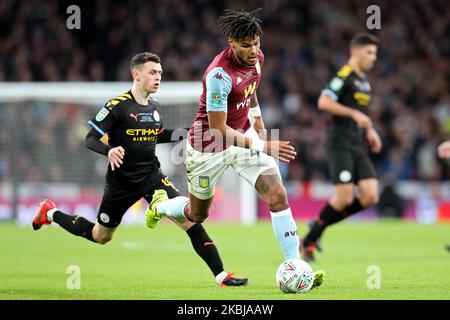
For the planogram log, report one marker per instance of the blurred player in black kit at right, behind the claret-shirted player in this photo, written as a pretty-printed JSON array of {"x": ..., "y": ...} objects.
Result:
[{"x": 347, "y": 98}]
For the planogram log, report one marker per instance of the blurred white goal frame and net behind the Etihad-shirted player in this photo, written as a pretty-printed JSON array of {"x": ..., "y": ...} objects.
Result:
[{"x": 42, "y": 131}]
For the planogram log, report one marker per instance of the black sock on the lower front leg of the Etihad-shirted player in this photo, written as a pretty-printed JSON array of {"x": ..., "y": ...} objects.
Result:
[{"x": 205, "y": 248}]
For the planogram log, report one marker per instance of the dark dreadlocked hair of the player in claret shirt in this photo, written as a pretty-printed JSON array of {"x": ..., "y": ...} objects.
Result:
[{"x": 240, "y": 25}]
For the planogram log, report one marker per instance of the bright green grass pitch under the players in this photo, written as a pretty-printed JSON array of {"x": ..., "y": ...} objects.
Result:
[{"x": 140, "y": 263}]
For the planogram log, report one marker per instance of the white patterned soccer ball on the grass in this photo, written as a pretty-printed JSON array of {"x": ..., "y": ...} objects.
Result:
[{"x": 294, "y": 275}]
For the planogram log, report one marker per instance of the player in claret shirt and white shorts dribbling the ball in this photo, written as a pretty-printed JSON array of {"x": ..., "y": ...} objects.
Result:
[{"x": 222, "y": 136}]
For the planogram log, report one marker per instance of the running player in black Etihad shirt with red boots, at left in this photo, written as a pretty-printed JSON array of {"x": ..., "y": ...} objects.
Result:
[{"x": 133, "y": 125}]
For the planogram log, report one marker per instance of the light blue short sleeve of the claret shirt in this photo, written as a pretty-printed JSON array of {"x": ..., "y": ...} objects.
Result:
[{"x": 218, "y": 87}]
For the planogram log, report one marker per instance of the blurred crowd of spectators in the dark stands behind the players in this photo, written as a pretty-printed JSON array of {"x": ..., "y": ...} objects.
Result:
[{"x": 305, "y": 43}]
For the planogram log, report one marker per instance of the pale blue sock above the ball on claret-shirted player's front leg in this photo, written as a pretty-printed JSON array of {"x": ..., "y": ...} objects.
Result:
[{"x": 286, "y": 233}]
